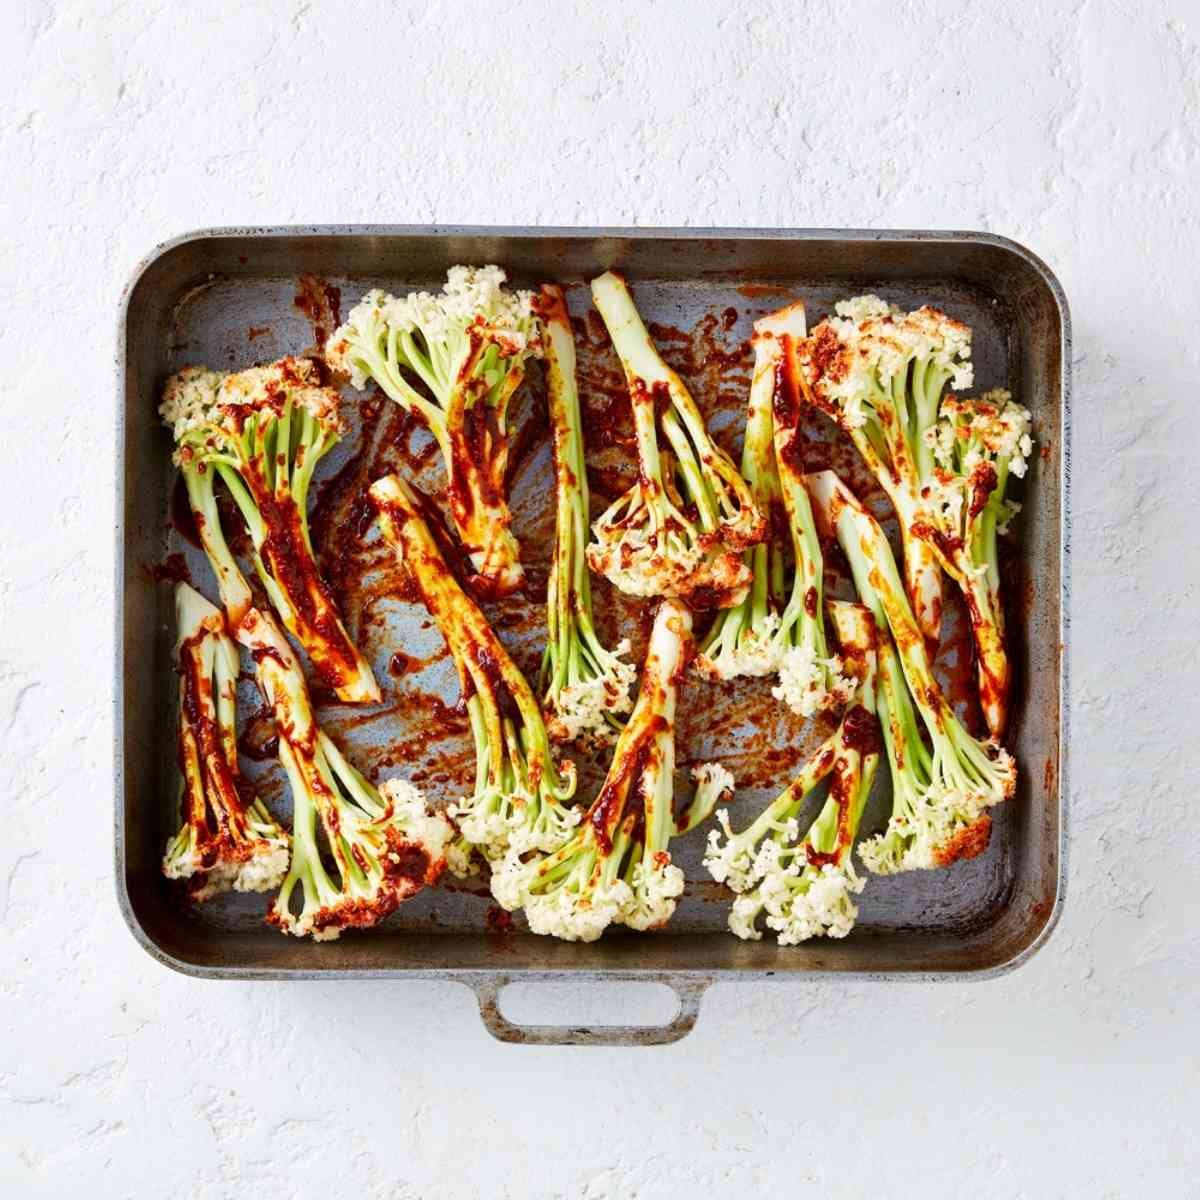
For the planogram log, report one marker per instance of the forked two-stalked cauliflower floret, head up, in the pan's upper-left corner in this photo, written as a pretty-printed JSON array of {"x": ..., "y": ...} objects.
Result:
[{"x": 263, "y": 431}]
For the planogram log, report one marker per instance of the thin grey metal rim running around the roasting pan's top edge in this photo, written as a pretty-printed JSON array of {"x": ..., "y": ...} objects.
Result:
[{"x": 478, "y": 979}]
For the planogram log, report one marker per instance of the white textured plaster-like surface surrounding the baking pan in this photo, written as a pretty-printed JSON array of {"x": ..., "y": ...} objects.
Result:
[{"x": 1073, "y": 129}]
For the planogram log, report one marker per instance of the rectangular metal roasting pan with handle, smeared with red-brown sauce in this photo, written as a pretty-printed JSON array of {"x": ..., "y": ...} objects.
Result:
[{"x": 232, "y": 297}]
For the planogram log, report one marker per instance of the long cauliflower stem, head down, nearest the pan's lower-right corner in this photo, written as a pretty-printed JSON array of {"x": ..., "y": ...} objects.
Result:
[{"x": 949, "y": 820}]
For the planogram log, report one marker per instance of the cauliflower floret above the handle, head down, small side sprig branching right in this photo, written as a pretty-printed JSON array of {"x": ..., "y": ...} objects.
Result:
[{"x": 616, "y": 868}]
